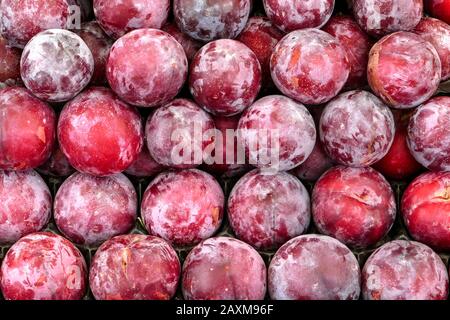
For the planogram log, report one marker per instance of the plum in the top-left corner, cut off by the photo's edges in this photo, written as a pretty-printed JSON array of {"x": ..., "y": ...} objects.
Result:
[{"x": 22, "y": 20}]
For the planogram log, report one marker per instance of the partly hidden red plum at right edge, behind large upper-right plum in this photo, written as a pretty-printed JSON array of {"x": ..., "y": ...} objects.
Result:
[{"x": 438, "y": 34}]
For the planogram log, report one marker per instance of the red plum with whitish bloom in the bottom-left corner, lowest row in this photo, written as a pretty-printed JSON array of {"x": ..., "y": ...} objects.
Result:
[{"x": 43, "y": 266}]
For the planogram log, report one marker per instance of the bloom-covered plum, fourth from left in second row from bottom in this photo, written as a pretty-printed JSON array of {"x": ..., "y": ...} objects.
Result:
[{"x": 266, "y": 211}]
